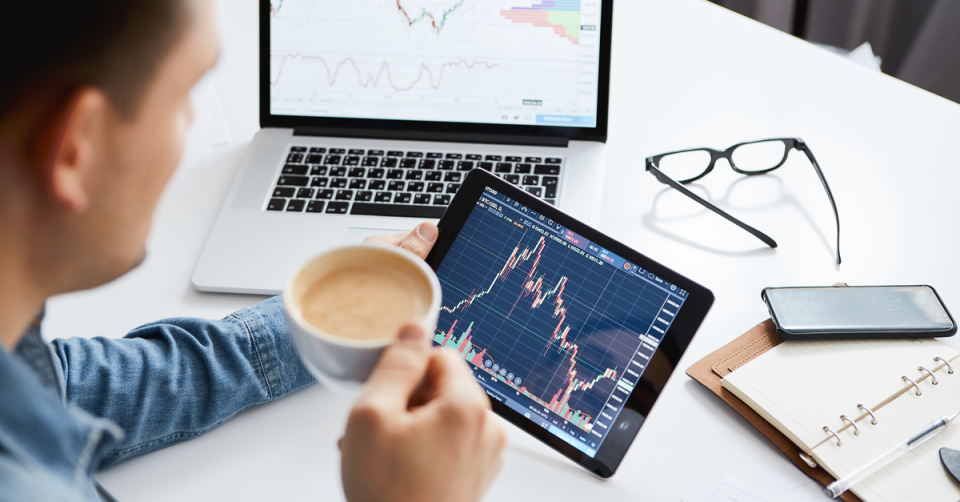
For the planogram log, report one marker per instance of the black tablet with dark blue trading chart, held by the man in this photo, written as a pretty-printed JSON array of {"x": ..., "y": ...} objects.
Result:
[{"x": 572, "y": 334}]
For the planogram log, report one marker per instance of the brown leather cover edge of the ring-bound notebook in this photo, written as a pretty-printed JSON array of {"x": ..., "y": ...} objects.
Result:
[{"x": 711, "y": 369}]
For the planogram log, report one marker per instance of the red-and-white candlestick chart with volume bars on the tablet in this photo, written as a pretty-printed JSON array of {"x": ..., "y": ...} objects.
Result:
[{"x": 532, "y": 286}]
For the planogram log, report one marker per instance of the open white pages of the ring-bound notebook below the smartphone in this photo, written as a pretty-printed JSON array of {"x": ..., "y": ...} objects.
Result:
[{"x": 802, "y": 387}]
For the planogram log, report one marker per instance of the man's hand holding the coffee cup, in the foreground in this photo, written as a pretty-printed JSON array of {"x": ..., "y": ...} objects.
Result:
[{"x": 422, "y": 429}]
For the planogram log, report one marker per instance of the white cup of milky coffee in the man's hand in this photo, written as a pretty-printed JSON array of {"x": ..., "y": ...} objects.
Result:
[{"x": 343, "y": 361}]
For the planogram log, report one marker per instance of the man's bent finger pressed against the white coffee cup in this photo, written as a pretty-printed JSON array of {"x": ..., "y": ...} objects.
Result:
[{"x": 400, "y": 370}]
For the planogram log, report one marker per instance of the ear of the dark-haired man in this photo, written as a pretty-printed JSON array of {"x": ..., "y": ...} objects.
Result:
[{"x": 65, "y": 148}]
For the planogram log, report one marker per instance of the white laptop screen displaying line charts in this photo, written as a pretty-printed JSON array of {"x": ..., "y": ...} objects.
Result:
[{"x": 503, "y": 62}]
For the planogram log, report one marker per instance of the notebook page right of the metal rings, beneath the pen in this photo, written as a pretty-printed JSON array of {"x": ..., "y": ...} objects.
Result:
[{"x": 917, "y": 475}]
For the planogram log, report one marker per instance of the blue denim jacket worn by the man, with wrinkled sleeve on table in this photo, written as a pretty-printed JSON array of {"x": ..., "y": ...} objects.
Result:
[{"x": 71, "y": 407}]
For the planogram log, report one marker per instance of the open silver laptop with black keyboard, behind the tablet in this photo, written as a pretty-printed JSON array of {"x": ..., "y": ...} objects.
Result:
[{"x": 372, "y": 114}]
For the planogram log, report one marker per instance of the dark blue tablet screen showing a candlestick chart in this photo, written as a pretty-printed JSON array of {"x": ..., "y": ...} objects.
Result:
[{"x": 554, "y": 326}]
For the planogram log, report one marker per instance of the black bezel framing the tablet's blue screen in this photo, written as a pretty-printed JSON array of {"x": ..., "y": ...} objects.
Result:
[{"x": 675, "y": 341}]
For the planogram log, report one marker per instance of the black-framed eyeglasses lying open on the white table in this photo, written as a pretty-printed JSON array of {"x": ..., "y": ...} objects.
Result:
[{"x": 751, "y": 158}]
